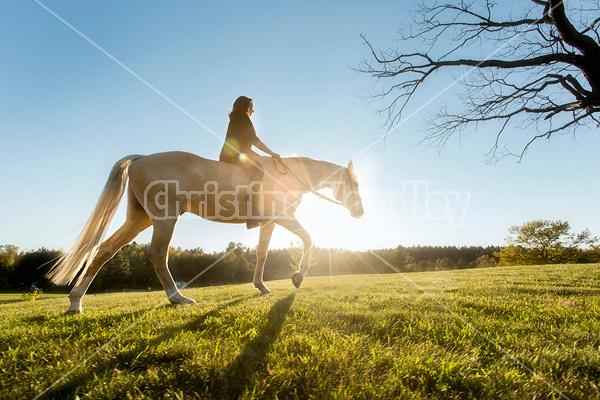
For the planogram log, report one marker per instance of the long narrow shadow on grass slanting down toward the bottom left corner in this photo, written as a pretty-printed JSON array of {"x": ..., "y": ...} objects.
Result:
[{"x": 76, "y": 384}]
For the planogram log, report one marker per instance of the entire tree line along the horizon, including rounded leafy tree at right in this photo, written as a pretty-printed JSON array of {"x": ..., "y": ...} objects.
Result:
[{"x": 533, "y": 243}]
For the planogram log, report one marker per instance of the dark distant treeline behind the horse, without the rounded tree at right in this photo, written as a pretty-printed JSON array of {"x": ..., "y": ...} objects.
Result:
[{"x": 131, "y": 268}]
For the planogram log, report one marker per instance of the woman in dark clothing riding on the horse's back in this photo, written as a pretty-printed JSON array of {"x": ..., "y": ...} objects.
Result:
[{"x": 237, "y": 149}]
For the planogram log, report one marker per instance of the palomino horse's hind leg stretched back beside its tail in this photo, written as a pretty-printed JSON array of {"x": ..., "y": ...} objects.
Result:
[{"x": 137, "y": 220}]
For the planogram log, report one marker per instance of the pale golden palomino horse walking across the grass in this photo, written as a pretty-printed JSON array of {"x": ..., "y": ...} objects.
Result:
[{"x": 165, "y": 185}]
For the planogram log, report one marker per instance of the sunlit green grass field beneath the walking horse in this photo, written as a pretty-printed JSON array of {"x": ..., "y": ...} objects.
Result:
[{"x": 368, "y": 336}]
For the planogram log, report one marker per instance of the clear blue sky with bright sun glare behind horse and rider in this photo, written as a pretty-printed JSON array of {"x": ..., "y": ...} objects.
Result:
[{"x": 68, "y": 113}]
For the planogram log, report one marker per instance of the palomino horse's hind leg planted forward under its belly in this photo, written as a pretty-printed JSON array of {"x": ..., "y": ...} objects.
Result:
[{"x": 159, "y": 255}]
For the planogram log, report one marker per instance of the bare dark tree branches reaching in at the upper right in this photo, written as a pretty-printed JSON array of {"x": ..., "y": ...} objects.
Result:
[{"x": 542, "y": 71}]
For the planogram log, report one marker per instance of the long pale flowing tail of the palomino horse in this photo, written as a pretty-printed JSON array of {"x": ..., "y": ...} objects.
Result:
[{"x": 81, "y": 255}]
